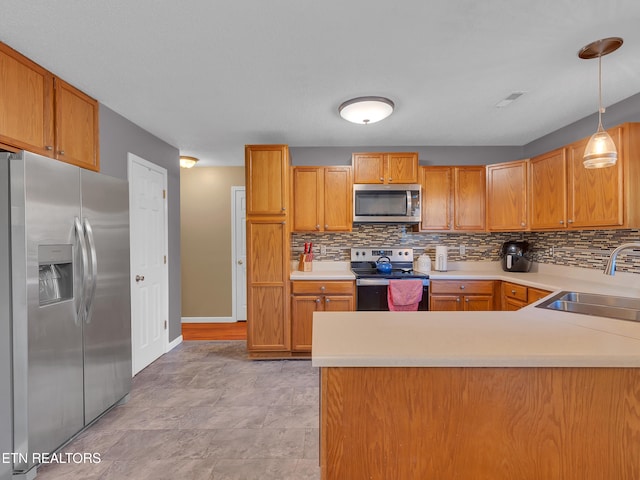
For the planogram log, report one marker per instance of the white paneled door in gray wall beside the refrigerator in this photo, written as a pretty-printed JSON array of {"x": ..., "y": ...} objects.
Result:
[{"x": 149, "y": 296}]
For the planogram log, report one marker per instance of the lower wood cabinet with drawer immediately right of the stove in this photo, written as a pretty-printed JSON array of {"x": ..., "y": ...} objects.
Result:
[{"x": 463, "y": 295}]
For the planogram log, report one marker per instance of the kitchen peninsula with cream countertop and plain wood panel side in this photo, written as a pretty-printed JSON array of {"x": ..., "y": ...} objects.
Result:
[{"x": 532, "y": 394}]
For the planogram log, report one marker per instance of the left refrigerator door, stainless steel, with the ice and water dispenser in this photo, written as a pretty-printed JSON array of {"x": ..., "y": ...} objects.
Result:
[{"x": 47, "y": 335}]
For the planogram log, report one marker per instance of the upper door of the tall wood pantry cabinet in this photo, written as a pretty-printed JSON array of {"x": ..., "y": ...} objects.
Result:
[{"x": 266, "y": 170}]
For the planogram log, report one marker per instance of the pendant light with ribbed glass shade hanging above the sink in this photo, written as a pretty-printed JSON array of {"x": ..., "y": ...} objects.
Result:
[{"x": 600, "y": 150}]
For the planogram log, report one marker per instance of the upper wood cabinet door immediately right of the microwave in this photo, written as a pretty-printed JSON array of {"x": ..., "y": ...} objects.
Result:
[{"x": 436, "y": 198}]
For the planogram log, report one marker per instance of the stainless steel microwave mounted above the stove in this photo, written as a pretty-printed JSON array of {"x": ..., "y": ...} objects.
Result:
[{"x": 375, "y": 203}]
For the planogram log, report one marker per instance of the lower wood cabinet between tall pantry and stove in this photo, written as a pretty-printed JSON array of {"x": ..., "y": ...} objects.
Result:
[{"x": 308, "y": 296}]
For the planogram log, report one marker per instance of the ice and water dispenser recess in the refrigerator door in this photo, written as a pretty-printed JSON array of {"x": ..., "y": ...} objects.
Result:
[{"x": 55, "y": 273}]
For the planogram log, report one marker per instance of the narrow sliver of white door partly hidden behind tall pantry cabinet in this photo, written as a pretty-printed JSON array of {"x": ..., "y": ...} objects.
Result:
[{"x": 240, "y": 252}]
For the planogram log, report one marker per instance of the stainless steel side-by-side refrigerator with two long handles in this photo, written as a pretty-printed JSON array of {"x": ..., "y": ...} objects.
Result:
[{"x": 70, "y": 297}]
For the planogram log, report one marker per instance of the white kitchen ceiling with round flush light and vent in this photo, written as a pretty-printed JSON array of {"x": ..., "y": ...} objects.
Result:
[{"x": 209, "y": 76}]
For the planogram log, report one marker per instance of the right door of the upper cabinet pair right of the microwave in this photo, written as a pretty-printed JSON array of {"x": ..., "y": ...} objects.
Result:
[{"x": 469, "y": 198}]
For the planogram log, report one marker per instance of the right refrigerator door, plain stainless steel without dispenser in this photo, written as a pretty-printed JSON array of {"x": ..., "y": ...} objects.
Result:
[{"x": 107, "y": 337}]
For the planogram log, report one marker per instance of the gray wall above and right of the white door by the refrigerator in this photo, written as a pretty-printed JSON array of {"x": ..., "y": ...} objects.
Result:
[{"x": 119, "y": 136}]
